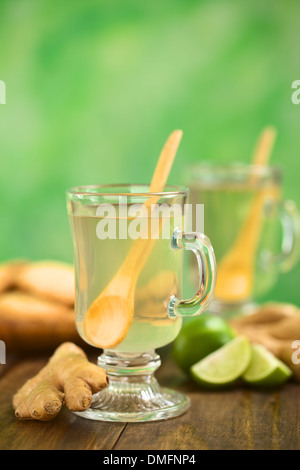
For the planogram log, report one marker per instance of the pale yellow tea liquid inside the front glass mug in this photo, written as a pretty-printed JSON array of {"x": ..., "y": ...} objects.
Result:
[{"x": 98, "y": 262}]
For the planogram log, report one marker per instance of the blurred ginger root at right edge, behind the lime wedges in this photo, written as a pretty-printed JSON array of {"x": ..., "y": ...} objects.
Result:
[{"x": 276, "y": 326}]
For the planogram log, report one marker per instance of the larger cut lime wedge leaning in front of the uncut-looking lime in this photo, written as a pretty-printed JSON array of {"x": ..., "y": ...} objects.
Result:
[{"x": 224, "y": 366}]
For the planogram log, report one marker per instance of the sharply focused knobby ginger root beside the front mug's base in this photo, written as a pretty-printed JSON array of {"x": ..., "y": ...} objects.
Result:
[{"x": 67, "y": 378}]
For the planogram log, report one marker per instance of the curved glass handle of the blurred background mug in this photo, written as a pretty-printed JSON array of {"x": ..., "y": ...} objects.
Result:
[{"x": 290, "y": 245}]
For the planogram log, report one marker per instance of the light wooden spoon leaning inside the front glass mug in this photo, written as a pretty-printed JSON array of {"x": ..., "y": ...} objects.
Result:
[{"x": 109, "y": 317}]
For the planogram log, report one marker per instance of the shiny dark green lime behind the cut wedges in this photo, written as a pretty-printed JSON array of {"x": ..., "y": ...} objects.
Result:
[{"x": 199, "y": 337}]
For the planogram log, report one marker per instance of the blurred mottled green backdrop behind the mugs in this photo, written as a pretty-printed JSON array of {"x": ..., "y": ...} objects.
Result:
[{"x": 95, "y": 87}]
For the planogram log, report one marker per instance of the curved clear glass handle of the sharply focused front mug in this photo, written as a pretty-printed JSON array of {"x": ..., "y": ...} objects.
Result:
[{"x": 203, "y": 250}]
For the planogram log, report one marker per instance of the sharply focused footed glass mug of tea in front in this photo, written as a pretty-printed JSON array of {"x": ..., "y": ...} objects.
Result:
[{"x": 134, "y": 394}]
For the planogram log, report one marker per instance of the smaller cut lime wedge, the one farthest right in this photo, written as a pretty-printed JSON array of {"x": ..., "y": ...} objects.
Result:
[{"x": 265, "y": 370}]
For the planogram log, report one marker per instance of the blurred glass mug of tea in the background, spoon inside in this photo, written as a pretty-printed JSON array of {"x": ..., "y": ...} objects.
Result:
[{"x": 254, "y": 233}]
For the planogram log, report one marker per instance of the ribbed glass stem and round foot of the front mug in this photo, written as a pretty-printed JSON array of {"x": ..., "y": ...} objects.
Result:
[{"x": 134, "y": 394}]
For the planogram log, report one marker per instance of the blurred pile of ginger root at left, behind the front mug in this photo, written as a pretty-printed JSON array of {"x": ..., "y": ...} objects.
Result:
[{"x": 37, "y": 305}]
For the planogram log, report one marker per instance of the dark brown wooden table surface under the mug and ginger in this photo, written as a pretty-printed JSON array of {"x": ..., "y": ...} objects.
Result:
[{"x": 235, "y": 419}]
